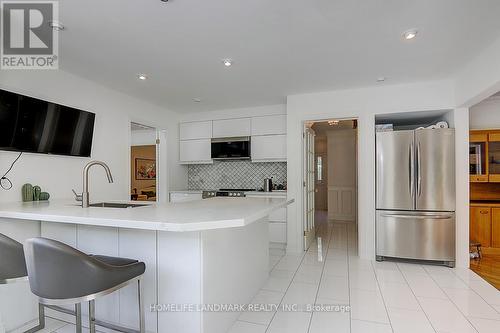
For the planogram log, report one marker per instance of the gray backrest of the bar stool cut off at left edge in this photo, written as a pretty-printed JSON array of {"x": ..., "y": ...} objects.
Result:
[{"x": 12, "y": 263}]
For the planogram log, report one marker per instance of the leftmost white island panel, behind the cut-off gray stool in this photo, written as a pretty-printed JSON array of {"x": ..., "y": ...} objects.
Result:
[{"x": 17, "y": 303}]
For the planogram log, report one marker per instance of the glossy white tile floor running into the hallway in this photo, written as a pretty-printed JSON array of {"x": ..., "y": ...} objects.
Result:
[{"x": 384, "y": 297}]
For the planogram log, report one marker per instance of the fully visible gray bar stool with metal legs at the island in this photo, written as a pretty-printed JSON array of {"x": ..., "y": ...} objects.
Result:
[{"x": 61, "y": 275}]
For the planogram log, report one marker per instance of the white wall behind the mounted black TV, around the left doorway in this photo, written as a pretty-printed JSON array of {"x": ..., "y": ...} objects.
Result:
[{"x": 114, "y": 111}]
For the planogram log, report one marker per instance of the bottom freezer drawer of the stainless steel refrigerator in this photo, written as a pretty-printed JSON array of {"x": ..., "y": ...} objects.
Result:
[{"x": 416, "y": 235}]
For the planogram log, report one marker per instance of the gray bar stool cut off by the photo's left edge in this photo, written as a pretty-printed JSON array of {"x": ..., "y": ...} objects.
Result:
[{"x": 13, "y": 270}]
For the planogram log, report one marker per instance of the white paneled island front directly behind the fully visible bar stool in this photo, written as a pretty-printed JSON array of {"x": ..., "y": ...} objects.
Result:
[{"x": 121, "y": 306}]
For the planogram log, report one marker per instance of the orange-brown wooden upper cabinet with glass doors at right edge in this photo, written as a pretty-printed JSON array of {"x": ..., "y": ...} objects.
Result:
[{"x": 484, "y": 156}]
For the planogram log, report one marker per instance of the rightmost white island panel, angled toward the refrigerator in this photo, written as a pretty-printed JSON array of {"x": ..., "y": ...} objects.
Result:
[{"x": 235, "y": 267}]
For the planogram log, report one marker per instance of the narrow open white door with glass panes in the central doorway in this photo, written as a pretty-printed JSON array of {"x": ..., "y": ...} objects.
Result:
[{"x": 309, "y": 185}]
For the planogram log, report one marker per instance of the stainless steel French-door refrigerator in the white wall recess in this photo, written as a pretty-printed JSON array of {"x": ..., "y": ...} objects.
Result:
[{"x": 415, "y": 172}]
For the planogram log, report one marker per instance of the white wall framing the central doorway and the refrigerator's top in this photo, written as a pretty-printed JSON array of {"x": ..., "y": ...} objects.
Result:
[{"x": 363, "y": 104}]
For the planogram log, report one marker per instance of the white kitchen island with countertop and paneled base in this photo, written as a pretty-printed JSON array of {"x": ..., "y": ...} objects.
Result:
[{"x": 198, "y": 254}]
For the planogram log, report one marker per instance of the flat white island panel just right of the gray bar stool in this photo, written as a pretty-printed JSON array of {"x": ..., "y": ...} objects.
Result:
[{"x": 179, "y": 280}]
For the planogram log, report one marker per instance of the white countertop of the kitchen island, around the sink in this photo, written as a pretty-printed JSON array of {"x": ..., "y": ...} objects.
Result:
[{"x": 214, "y": 213}]
